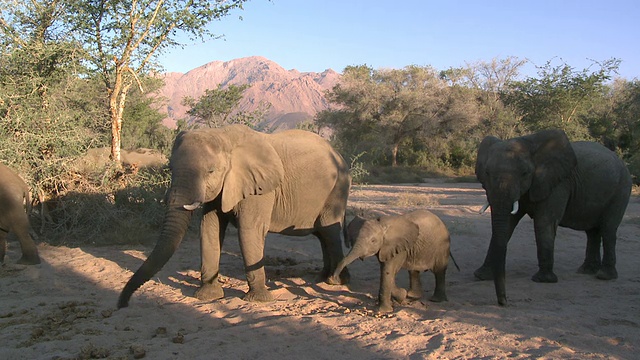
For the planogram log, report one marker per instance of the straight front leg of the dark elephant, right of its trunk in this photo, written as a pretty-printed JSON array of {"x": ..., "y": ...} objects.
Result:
[{"x": 545, "y": 232}]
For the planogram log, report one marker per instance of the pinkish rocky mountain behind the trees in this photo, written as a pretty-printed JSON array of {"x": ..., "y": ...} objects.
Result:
[{"x": 294, "y": 96}]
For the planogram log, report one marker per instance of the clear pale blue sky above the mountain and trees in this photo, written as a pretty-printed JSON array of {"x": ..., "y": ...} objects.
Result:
[{"x": 314, "y": 35}]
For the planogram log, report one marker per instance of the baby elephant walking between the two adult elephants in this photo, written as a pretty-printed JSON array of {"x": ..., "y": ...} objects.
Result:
[{"x": 417, "y": 241}]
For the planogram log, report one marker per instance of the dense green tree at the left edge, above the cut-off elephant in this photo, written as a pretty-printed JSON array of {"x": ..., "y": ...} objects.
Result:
[{"x": 44, "y": 101}]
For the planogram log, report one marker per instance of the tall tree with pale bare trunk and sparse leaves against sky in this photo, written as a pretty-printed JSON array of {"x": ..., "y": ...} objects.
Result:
[{"x": 124, "y": 38}]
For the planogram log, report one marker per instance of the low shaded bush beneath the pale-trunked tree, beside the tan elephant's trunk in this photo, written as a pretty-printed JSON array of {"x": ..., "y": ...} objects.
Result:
[{"x": 109, "y": 206}]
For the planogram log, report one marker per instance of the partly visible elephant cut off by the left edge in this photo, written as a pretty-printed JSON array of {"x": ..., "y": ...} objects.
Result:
[{"x": 14, "y": 199}]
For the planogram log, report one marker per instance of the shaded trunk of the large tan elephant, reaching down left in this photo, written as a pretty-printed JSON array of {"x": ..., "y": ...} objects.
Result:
[{"x": 175, "y": 227}]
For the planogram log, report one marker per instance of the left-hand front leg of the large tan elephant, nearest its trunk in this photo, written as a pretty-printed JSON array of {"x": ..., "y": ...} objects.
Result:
[{"x": 212, "y": 232}]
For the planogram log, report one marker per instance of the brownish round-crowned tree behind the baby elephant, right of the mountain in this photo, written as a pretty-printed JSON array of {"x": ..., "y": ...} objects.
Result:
[{"x": 393, "y": 105}]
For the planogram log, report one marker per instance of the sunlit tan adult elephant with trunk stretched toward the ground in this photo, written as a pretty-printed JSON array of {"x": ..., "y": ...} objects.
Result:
[{"x": 291, "y": 182}]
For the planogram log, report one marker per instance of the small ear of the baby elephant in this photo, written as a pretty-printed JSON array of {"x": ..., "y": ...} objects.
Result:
[{"x": 399, "y": 235}]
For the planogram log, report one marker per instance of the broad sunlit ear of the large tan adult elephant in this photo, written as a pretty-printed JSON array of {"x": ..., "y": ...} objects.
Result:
[{"x": 255, "y": 169}]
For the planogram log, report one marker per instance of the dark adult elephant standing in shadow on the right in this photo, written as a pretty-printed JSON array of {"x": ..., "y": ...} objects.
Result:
[{"x": 581, "y": 185}]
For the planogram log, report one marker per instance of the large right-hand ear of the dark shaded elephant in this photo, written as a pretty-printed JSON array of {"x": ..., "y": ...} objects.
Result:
[{"x": 554, "y": 161}]
